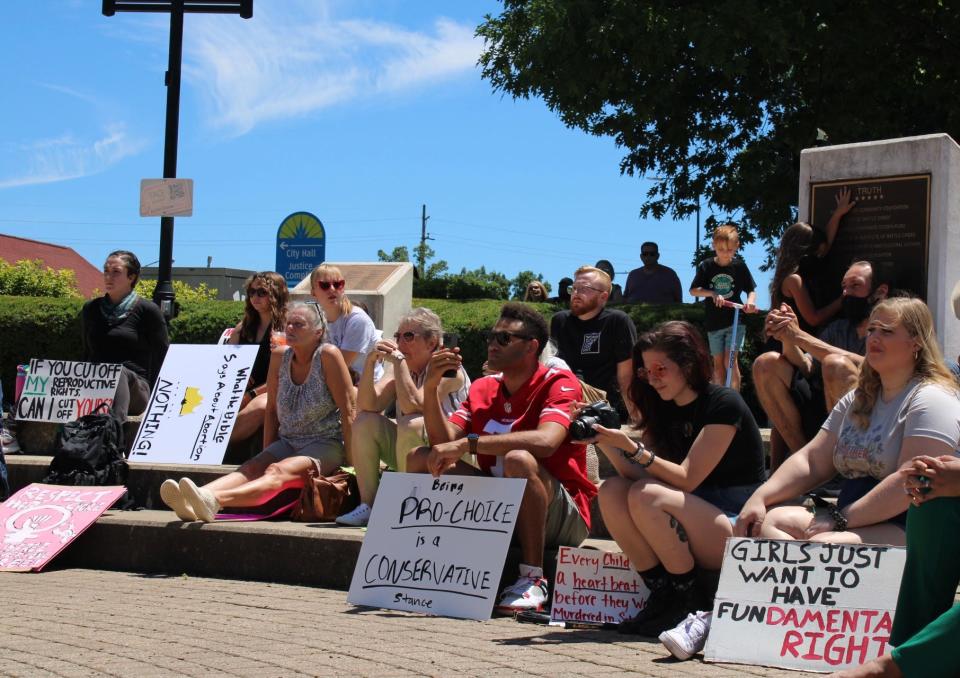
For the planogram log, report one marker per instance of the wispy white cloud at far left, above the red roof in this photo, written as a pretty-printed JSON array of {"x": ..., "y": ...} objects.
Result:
[{"x": 66, "y": 157}]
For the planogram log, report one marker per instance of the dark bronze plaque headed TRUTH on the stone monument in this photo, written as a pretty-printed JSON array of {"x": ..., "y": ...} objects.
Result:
[{"x": 889, "y": 225}]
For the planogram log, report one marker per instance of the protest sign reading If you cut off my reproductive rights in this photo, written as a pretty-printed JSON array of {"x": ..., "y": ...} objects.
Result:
[{"x": 61, "y": 390}]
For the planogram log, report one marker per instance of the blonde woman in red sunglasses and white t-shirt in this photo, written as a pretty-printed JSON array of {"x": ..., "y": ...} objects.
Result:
[{"x": 349, "y": 328}]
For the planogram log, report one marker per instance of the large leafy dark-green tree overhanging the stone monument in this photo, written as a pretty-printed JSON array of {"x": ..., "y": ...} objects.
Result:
[{"x": 719, "y": 98}]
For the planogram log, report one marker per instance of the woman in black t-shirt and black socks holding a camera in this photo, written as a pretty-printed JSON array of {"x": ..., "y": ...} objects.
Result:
[{"x": 699, "y": 458}]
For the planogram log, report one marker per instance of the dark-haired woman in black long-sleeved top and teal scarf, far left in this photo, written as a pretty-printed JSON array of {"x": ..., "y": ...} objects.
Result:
[{"x": 121, "y": 327}]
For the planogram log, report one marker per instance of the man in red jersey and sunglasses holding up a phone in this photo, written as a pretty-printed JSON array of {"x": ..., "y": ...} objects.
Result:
[{"x": 516, "y": 423}]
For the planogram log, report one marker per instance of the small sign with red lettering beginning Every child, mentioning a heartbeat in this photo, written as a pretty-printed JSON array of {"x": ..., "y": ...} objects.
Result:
[{"x": 595, "y": 587}]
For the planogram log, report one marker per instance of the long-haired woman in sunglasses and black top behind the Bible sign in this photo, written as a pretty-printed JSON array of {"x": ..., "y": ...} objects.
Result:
[{"x": 263, "y": 315}]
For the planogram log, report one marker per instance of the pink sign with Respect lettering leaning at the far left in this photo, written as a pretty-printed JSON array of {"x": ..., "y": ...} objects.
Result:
[{"x": 40, "y": 520}]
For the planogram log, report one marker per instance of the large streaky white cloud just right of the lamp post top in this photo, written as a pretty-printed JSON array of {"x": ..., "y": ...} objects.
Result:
[{"x": 282, "y": 65}]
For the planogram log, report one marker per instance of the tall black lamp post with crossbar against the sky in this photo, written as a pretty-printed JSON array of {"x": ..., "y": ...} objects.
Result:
[{"x": 163, "y": 295}]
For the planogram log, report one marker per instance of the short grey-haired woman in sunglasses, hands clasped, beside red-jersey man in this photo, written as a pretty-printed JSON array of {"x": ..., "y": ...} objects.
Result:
[{"x": 377, "y": 438}]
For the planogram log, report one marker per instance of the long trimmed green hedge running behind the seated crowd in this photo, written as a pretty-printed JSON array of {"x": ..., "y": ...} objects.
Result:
[{"x": 50, "y": 328}]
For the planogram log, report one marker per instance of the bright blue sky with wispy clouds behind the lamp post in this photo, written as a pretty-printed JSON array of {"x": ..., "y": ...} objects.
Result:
[{"x": 358, "y": 112}]
